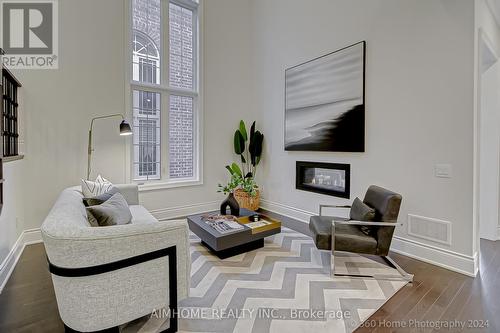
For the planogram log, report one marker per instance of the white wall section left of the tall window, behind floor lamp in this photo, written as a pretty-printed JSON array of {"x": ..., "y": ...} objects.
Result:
[{"x": 58, "y": 104}]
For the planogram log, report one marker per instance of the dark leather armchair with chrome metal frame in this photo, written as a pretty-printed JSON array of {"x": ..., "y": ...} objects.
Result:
[{"x": 364, "y": 237}]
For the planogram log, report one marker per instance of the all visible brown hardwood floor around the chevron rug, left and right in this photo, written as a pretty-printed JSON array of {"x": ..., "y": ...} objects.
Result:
[{"x": 28, "y": 304}]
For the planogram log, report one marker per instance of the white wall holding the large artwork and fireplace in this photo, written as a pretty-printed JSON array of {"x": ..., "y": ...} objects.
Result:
[{"x": 419, "y": 101}]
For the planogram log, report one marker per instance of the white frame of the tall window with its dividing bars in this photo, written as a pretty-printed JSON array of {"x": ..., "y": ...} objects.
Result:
[{"x": 166, "y": 91}]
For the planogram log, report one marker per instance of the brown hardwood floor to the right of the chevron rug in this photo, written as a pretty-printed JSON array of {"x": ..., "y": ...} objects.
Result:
[{"x": 445, "y": 297}]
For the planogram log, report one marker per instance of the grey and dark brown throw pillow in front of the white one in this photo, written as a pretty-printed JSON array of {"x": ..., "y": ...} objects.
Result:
[{"x": 114, "y": 211}]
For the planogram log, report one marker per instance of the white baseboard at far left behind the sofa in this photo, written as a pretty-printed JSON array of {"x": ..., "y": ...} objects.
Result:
[{"x": 27, "y": 237}]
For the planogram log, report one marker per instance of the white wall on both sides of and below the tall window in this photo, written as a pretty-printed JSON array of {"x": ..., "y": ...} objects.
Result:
[{"x": 90, "y": 81}]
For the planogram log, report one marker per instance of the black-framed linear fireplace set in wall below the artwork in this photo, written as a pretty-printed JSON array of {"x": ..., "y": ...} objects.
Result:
[{"x": 325, "y": 178}]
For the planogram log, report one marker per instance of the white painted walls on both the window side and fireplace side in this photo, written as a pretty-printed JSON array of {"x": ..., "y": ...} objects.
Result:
[{"x": 419, "y": 84}]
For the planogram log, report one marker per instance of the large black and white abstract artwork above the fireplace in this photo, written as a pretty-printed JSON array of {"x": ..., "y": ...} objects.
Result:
[{"x": 325, "y": 102}]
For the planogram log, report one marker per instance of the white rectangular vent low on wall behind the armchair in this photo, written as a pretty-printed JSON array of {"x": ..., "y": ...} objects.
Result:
[{"x": 428, "y": 228}]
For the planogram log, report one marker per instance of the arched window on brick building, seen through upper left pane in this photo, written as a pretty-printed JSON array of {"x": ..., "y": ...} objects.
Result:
[{"x": 146, "y": 59}]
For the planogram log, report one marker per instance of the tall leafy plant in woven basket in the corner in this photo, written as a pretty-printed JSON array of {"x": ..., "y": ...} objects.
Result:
[{"x": 242, "y": 184}]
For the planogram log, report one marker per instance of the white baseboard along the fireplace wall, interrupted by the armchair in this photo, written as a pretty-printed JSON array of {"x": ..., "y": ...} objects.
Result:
[{"x": 453, "y": 261}]
